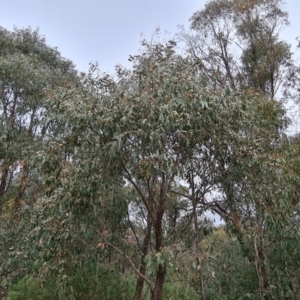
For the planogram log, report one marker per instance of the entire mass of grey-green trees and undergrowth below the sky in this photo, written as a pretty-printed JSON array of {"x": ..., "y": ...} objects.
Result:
[{"x": 109, "y": 184}]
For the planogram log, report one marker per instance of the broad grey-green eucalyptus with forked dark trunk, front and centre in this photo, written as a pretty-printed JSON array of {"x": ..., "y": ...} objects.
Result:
[{"x": 162, "y": 123}]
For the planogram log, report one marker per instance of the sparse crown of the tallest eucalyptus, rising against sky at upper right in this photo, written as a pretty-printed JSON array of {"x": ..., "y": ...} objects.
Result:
[{"x": 238, "y": 42}]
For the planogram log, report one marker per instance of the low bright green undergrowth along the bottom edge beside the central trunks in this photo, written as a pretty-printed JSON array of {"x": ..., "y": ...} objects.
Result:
[{"x": 90, "y": 283}]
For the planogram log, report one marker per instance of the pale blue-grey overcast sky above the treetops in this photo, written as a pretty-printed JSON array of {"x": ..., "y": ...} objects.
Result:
[{"x": 108, "y": 31}]
